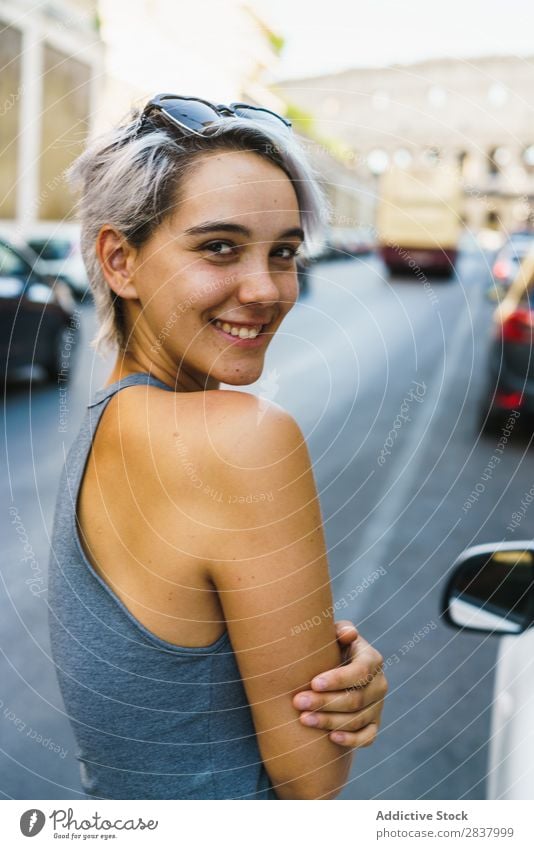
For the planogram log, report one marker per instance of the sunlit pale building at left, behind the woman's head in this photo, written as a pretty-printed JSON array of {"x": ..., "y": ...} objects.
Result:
[{"x": 73, "y": 68}]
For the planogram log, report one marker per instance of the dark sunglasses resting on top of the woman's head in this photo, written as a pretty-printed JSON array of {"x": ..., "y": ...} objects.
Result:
[{"x": 193, "y": 115}]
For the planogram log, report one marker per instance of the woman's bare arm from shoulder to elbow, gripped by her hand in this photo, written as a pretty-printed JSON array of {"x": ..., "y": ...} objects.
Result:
[{"x": 269, "y": 565}]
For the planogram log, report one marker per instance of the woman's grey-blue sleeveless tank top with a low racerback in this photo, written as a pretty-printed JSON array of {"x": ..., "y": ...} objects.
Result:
[{"x": 152, "y": 720}]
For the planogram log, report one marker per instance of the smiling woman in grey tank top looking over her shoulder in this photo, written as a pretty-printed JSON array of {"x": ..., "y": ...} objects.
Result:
[{"x": 188, "y": 556}]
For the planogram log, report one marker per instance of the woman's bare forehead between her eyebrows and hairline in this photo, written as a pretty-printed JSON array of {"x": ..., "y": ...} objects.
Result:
[{"x": 238, "y": 185}]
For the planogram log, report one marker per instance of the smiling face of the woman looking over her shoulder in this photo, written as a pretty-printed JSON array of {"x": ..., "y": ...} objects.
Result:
[{"x": 227, "y": 253}]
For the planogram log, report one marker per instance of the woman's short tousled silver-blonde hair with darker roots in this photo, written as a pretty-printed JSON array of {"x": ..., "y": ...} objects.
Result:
[{"x": 131, "y": 180}]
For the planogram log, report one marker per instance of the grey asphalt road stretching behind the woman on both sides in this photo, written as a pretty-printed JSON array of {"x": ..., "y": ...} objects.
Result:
[{"x": 384, "y": 376}]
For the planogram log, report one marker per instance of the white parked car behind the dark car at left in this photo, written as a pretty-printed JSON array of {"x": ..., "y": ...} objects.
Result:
[{"x": 58, "y": 249}]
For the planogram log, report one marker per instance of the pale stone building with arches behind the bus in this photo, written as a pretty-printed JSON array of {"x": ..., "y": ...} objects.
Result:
[{"x": 471, "y": 115}]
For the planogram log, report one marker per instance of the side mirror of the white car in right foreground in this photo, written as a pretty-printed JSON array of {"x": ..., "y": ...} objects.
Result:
[{"x": 491, "y": 589}]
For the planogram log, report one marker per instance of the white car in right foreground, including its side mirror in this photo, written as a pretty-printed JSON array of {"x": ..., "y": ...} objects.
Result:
[{"x": 491, "y": 590}]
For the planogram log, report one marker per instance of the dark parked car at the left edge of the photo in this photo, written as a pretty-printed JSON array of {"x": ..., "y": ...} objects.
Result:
[{"x": 37, "y": 317}]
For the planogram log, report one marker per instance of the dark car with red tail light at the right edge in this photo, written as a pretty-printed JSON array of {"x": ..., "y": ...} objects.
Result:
[{"x": 510, "y": 382}]
